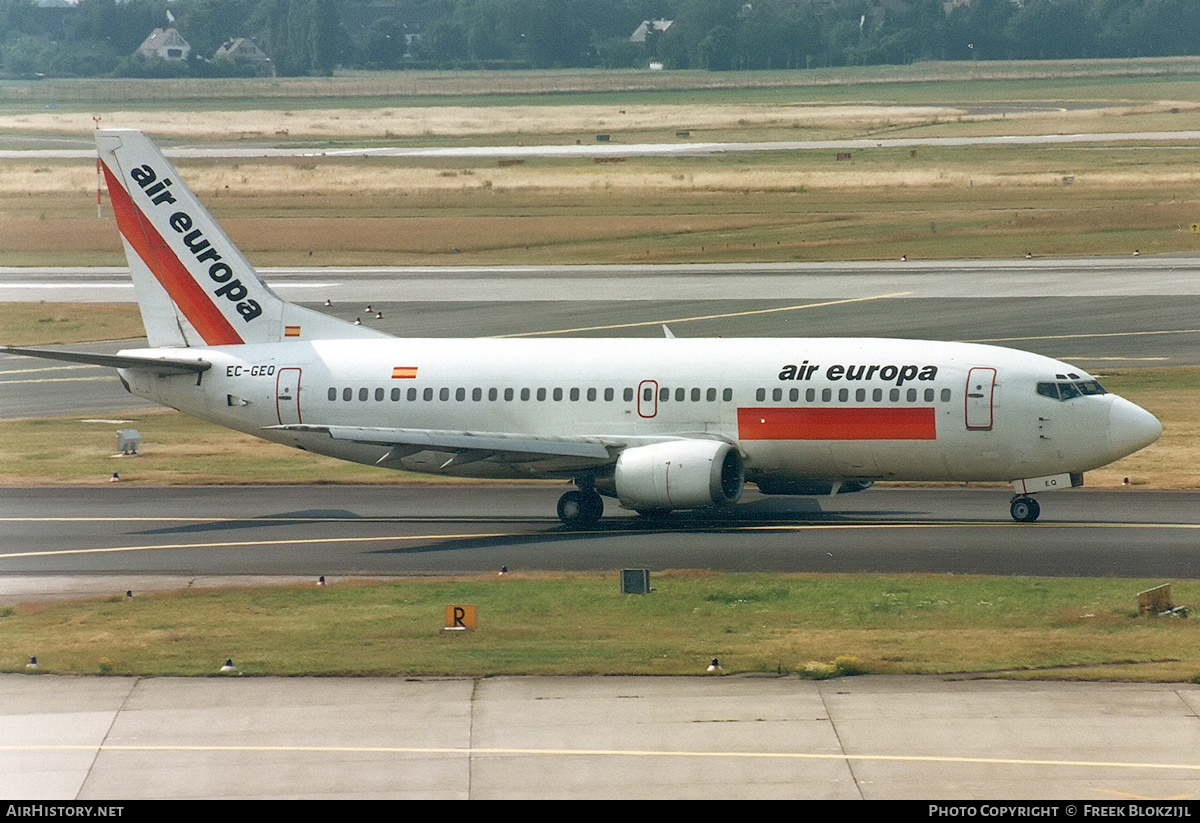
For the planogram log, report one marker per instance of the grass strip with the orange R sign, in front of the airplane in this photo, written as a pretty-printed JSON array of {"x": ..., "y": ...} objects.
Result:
[{"x": 580, "y": 624}]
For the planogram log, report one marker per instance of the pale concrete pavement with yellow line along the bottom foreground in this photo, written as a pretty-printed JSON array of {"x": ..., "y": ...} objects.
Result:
[{"x": 622, "y": 737}]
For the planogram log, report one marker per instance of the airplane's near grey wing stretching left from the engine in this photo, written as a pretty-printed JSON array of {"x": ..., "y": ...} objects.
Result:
[{"x": 551, "y": 454}]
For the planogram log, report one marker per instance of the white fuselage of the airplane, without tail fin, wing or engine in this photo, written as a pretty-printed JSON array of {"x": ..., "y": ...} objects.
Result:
[{"x": 827, "y": 409}]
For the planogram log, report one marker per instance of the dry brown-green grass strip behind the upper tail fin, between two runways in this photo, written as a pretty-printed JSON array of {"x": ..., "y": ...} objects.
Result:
[{"x": 939, "y": 203}]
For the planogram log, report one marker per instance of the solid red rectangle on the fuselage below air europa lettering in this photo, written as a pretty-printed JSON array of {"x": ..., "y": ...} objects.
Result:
[{"x": 838, "y": 424}]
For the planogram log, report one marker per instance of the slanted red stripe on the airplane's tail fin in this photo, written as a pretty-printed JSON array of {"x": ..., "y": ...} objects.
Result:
[{"x": 196, "y": 304}]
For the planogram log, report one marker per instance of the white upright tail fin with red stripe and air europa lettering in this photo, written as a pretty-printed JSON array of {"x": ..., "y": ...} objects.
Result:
[{"x": 193, "y": 284}]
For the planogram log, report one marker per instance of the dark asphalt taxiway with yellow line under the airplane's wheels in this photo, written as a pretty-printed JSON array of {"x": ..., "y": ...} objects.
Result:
[{"x": 184, "y": 533}]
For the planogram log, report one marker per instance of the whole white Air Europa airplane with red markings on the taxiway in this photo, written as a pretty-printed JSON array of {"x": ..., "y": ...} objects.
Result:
[{"x": 659, "y": 425}]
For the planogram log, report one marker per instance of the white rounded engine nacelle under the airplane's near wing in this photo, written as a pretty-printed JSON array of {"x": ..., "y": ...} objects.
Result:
[{"x": 680, "y": 474}]
